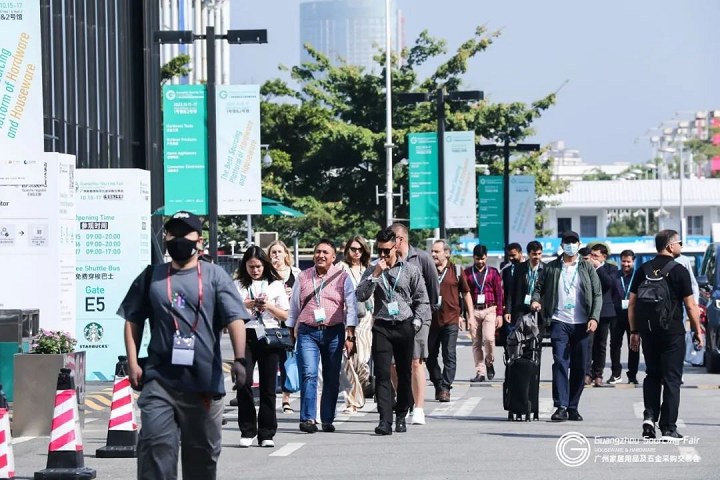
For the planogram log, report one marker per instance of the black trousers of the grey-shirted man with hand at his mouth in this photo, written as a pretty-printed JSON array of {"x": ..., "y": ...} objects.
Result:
[{"x": 393, "y": 341}]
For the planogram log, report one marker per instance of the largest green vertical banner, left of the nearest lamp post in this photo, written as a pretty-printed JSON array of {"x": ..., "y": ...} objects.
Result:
[{"x": 185, "y": 148}]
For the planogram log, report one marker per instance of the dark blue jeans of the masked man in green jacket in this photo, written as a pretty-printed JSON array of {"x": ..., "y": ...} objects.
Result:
[{"x": 570, "y": 351}]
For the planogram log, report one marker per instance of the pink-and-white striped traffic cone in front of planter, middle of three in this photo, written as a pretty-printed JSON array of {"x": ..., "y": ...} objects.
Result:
[{"x": 65, "y": 452}]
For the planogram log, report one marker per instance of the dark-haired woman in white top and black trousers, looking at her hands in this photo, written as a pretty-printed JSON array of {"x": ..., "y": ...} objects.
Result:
[{"x": 264, "y": 296}]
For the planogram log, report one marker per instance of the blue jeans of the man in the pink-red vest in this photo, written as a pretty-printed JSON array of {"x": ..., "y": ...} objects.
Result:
[{"x": 314, "y": 344}]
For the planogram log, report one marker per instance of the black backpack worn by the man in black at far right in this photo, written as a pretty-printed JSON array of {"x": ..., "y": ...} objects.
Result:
[{"x": 654, "y": 300}]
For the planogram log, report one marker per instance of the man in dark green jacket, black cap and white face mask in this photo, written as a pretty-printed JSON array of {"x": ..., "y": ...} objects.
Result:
[{"x": 570, "y": 296}]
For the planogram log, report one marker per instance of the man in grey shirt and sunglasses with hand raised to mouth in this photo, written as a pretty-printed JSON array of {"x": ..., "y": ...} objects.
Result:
[{"x": 401, "y": 307}]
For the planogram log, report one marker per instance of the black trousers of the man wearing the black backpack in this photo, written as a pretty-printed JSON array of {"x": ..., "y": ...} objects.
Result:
[{"x": 664, "y": 356}]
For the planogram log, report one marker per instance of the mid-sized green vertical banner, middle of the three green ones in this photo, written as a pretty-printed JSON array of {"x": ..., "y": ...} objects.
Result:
[{"x": 423, "y": 176}]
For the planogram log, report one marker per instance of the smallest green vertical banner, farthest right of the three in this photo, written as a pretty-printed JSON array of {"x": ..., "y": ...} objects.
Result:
[{"x": 491, "y": 214}]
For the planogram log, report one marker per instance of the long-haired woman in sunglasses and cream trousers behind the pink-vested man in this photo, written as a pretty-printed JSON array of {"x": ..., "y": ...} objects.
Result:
[{"x": 356, "y": 367}]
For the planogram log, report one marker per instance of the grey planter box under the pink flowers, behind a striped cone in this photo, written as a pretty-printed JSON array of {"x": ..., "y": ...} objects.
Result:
[{"x": 35, "y": 385}]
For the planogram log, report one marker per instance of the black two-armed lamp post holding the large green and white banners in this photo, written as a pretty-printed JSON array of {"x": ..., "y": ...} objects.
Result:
[{"x": 237, "y": 37}]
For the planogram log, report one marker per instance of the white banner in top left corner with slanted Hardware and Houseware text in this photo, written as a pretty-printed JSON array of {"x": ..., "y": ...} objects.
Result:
[{"x": 21, "y": 105}]
